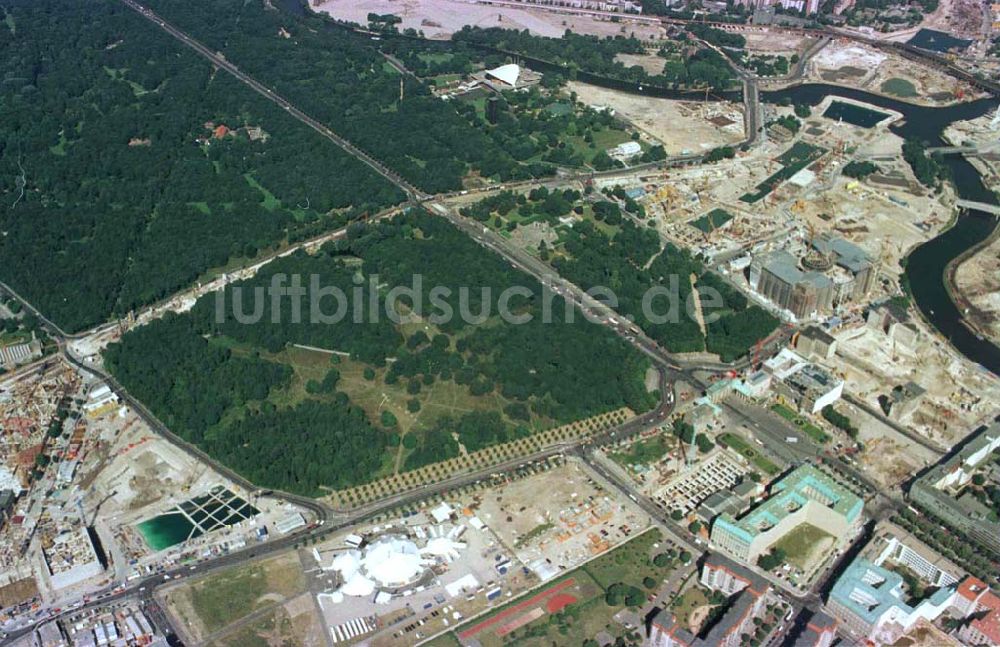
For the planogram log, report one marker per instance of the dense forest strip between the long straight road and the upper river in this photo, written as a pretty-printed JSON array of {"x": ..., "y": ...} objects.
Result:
[{"x": 341, "y": 79}]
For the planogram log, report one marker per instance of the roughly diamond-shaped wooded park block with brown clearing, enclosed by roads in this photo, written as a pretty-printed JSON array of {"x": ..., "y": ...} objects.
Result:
[{"x": 223, "y": 384}]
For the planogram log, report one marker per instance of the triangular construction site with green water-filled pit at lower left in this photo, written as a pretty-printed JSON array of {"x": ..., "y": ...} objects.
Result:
[{"x": 79, "y": 474}]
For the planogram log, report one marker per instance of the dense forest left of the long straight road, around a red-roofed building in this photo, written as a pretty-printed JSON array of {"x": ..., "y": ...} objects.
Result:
[{"x": 116, "y": 189}]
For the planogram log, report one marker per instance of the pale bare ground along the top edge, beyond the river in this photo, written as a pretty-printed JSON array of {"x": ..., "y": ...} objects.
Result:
[{"x": 441, "y": 18}]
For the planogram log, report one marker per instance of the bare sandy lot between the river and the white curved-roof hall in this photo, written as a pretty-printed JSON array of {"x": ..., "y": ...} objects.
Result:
[{"x": 680, "y": 125}]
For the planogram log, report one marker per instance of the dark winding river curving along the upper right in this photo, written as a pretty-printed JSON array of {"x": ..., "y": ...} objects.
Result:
[{"x": 926, "y": 264}]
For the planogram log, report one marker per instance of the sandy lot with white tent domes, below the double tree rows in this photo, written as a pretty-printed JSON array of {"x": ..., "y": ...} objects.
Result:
[{"x": 412, "y": 573}]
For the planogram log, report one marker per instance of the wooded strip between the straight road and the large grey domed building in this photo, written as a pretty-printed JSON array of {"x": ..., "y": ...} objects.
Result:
[{"x": 605, "y": 247}]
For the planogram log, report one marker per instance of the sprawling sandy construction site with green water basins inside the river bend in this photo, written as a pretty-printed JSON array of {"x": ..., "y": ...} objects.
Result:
[{"x": 791, "y": 191}]
